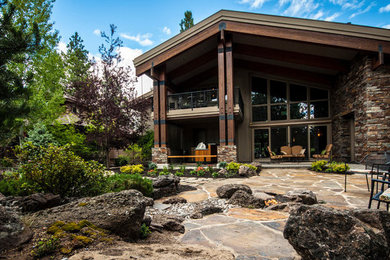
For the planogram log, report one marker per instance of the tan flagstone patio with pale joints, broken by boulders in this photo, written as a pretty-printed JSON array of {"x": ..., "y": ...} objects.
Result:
[{"x": 258, "y": 234}]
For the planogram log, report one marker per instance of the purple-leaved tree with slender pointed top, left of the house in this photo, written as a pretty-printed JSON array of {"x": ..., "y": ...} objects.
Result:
[{"x": 106, "y": 99}]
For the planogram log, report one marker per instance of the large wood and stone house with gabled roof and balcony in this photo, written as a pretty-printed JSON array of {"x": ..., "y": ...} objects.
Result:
[{"x": 245, "y": 81}]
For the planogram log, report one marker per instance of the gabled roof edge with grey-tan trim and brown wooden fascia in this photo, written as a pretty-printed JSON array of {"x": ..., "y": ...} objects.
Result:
[{"x": 320, "y": 32}]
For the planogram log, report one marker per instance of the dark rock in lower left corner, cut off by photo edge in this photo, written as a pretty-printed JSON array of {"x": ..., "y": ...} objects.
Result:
[{"x": 12, "y": 231}]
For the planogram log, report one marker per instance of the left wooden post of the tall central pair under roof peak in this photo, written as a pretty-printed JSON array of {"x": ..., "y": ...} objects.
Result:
[{"x": 221, "y": 93}]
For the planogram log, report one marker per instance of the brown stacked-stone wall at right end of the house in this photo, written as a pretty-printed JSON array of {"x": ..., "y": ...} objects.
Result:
[{"x": 362, "y": 94}]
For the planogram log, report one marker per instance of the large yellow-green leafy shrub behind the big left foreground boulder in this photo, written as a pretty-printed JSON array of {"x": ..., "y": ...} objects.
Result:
[{"x": 58, "y": 170}]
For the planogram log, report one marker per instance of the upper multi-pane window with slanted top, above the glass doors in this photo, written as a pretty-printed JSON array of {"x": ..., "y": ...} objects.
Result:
[{"x": 278, "y": 101}]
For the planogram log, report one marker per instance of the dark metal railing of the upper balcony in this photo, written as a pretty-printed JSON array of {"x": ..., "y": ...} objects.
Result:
[{"x": 191, "y": 100}]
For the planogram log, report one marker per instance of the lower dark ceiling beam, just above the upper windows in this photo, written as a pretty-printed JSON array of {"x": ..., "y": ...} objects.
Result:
[{"x": 296, "y": 74}]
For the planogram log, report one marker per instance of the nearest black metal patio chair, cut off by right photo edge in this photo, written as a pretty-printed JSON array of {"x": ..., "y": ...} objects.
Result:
[{"x": 380, "y": 190}]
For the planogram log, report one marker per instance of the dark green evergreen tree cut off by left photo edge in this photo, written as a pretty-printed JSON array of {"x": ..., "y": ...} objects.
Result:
[{"x": 18, "y": 42}]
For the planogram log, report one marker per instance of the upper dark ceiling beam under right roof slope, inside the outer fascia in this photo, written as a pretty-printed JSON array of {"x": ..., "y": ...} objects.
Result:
[{"x": 292, "y": 57}]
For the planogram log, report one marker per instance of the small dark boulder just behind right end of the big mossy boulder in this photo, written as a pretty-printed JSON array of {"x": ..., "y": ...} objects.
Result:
[{"x": 165, "y": 185}]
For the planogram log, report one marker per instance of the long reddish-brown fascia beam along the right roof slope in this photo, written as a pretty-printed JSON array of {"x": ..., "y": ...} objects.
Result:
[{"x": 337, "y": 40}]
